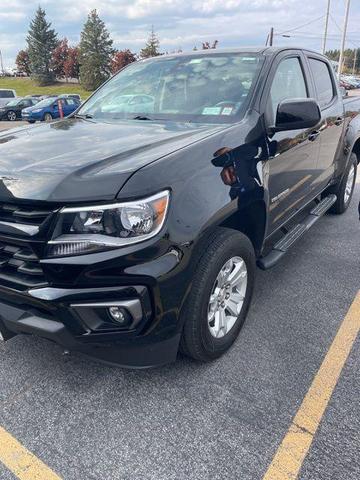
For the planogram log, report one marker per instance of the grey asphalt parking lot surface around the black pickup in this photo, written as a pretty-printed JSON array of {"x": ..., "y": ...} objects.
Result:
[{"x": 224, "y": 420}]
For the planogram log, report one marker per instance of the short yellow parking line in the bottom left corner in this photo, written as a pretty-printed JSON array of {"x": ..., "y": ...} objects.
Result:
[{"x": 22, "y": 463}]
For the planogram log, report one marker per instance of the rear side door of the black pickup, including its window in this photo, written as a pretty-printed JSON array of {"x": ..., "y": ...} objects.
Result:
[{"x": 332, "y": 118}]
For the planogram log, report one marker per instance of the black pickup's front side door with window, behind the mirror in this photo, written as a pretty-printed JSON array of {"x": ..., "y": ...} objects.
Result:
[{"x": 293, "y": 154}]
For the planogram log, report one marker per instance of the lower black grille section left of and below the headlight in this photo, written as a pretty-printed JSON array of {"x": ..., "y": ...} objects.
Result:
[{"x": 20, "y": 267}]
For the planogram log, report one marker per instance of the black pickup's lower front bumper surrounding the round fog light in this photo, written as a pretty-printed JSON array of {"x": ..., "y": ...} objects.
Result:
[{"x": 68, "y": 318}]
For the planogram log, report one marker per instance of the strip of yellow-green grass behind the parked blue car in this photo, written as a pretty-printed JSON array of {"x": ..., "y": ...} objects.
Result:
[{"x": 25, "y": 86}]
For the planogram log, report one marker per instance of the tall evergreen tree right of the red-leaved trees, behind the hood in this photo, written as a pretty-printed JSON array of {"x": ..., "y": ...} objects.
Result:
[{"x": 96, "y": 52}]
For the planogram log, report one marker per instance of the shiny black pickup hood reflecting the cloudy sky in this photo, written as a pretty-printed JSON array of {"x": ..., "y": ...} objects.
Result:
[{"x": 76, "y": 160}]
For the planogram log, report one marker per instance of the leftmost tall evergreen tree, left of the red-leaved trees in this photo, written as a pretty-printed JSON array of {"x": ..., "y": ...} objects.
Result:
[{"x": 41, "y": 42}]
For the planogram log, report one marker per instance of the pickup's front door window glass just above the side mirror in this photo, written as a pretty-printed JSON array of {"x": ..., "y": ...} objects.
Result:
[{"x": 288, "y": 82}]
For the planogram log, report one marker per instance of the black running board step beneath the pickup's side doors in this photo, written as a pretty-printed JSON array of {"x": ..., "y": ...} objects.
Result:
[{"x": 282, "y": 246}]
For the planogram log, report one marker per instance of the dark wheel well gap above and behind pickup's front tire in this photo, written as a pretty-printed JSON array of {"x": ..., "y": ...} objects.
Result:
[{"x": 250, "y": 221}]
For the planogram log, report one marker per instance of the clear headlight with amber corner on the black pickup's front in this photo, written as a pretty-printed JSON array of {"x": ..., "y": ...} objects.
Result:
[{"x": 88, "y": 229}]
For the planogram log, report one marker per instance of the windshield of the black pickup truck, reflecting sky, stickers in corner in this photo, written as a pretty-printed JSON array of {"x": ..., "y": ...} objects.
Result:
[{"x": 199, "y": 88}]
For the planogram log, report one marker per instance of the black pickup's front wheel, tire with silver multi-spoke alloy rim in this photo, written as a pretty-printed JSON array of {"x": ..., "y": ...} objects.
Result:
[{"x": 220, "y": 295}]
